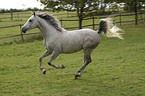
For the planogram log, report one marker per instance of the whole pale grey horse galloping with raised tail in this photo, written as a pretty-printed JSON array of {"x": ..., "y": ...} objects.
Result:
[{"x": 57, "y": 40}]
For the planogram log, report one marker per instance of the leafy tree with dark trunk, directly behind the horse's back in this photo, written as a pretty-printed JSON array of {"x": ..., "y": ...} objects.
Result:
[{"x": 83, "y": 8}]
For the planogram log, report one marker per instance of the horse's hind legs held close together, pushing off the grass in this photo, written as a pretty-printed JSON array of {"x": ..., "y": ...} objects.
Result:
[{"x": 87, "y": 60}]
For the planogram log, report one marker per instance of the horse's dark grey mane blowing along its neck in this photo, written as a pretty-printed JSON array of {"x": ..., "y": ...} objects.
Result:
[{"x": 51, "y": 20}]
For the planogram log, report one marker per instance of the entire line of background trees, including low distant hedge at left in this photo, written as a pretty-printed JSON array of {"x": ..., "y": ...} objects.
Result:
[{"x": 85, "y": 8}]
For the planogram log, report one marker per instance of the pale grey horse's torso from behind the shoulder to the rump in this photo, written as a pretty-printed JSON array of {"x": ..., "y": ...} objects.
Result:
[{"x": 76, "y": 40}]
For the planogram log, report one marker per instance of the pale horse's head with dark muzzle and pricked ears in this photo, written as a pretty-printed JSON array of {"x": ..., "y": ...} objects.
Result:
[{"x": 30, "y": 24}]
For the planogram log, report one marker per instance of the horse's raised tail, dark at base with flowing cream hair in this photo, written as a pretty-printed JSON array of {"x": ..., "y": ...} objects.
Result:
[{"x": 108, "y": 29}]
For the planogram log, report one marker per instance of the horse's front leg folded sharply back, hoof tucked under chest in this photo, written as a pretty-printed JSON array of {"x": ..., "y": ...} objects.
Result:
[{"x": 53, "y": 56}]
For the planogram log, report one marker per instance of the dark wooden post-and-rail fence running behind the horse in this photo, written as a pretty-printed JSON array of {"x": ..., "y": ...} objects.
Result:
[{"x": 93, "y": 24}]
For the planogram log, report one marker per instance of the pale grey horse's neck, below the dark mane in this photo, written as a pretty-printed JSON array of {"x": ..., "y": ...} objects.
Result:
[{"x": 46, "y": 29}]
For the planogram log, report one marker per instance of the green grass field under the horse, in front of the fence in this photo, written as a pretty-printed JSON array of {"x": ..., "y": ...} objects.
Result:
[{"x": 117, "y": 69}]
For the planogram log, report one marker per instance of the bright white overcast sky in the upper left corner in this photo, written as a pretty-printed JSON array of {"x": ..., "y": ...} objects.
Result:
[{"x": 20, "y": 4}]
